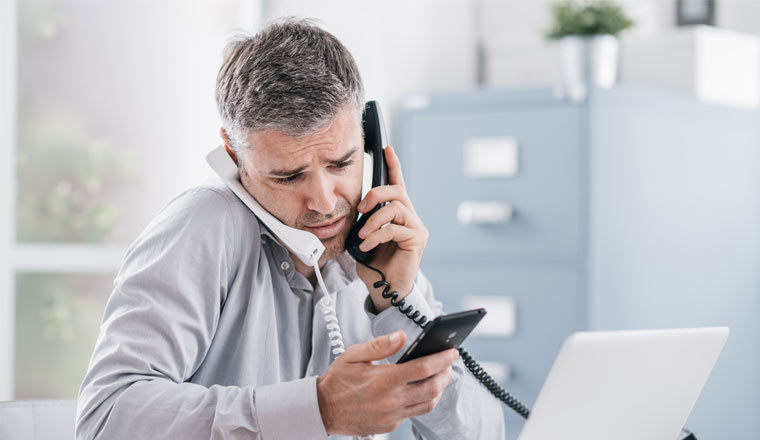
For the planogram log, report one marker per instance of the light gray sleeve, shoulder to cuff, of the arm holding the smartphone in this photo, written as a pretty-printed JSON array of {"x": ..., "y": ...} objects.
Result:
[{"x": 157, "y": 328}]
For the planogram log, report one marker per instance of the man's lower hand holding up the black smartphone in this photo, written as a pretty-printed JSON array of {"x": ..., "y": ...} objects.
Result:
[{"x": 357, "y": 397}]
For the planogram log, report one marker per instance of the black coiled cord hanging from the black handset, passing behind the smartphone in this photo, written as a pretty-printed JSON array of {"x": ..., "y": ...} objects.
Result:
[{"x": 497, "y": 390}]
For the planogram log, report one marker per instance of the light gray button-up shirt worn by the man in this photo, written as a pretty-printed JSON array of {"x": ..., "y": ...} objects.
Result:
[{"x": 211, "y": 333}]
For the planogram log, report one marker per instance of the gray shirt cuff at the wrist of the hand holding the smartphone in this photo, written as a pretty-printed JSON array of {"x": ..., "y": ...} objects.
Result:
[{"x": 290, "y": 410}]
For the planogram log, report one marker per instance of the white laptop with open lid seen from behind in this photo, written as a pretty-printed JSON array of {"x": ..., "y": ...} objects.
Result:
[{"x": 621, "y": 385}]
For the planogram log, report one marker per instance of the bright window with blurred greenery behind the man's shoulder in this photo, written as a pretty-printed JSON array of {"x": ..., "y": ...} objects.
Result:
[{"x": 112, "y": 113}]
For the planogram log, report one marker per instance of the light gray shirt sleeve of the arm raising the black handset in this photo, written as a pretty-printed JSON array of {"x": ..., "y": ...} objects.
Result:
[{"x": 466, "y": 409}]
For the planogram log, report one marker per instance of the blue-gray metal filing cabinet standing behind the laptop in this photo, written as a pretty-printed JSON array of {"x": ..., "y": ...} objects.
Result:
[{"x": 636, "y": 208}]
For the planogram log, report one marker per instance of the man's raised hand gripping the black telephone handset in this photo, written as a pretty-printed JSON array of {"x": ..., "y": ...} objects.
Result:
[{"x": 400, "y": 243}]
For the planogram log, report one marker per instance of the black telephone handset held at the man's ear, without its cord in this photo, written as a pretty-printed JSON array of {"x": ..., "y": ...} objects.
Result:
[{"x": 375, "y": 141}]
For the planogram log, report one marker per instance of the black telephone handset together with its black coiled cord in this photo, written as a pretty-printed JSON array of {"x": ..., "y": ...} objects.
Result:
[{"x": 375, "y": 141}]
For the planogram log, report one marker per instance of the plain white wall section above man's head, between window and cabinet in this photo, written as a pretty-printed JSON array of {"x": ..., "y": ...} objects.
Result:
[{"x": 400, "y": 46}]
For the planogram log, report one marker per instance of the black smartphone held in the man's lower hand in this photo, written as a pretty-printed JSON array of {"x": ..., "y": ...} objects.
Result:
[{"x": 445, "y": 331}]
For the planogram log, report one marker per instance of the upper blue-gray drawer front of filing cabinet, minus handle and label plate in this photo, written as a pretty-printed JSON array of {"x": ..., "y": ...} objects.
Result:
[{"x": 544, "y": 193}]
